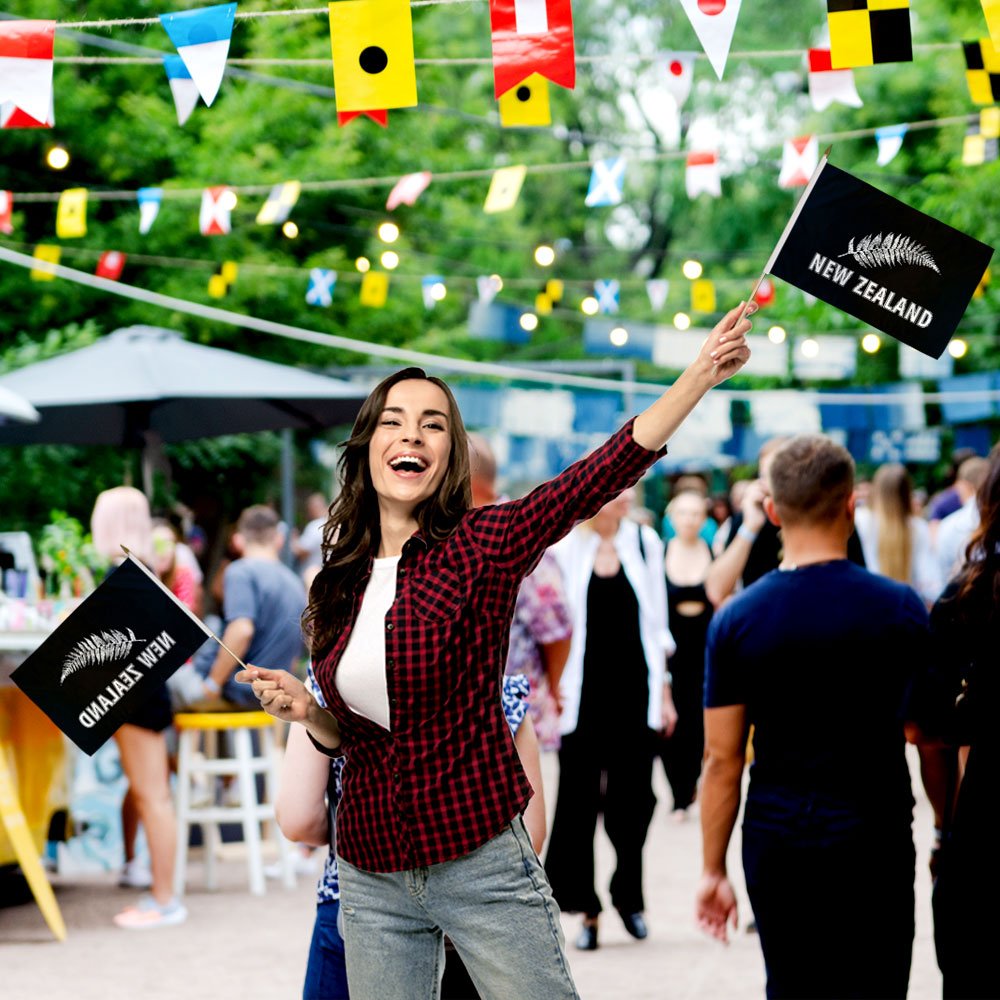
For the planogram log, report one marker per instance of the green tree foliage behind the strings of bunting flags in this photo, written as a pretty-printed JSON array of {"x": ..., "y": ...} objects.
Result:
[{"x": 118, "y": 122}]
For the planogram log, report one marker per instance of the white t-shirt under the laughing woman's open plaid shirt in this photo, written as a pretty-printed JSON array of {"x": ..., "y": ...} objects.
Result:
[{"x": 360, "y": 676}]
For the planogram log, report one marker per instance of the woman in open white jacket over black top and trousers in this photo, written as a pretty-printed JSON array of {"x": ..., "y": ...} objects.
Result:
[{"x": 615, "y": 698}]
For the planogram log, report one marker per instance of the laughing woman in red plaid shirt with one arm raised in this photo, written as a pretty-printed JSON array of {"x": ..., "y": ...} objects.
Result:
[{"x": 408, "y": 621}]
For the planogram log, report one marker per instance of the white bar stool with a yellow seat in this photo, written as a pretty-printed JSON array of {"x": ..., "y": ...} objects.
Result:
[{"x": 244, "y": 766}]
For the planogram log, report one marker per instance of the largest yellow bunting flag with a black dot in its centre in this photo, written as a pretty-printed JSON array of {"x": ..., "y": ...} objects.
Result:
[{"x": 372, "y": 42}]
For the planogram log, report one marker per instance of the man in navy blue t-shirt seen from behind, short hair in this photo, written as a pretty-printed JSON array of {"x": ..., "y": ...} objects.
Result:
[{"x": 818, "y": 657}]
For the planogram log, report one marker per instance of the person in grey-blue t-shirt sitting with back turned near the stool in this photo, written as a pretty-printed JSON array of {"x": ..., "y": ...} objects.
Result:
[{"x": 263, "y": 602}]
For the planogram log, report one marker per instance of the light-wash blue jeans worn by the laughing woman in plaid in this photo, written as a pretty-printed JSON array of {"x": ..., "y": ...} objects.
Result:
[{"x": 496, "y": 906}]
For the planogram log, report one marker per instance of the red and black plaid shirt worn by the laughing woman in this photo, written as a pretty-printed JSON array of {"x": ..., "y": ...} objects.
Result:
[{"x": 446, "y": 778}]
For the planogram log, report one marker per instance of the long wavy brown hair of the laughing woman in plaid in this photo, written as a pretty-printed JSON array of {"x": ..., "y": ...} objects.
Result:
[{"x": 351, "y": 534}]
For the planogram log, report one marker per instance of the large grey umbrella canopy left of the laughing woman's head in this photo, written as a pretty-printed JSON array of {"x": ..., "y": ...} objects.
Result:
[{"x": 145, "y": 379}]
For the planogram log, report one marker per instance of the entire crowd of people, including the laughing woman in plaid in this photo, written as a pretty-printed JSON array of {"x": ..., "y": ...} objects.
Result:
[{"x": 805, "y": 621}]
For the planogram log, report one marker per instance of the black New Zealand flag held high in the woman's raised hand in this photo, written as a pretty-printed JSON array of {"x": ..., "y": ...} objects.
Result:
[{"x": 887, "y": 264}]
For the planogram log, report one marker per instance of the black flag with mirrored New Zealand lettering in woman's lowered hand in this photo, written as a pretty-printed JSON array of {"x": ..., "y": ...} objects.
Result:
[{"x": 108, "y": 656}]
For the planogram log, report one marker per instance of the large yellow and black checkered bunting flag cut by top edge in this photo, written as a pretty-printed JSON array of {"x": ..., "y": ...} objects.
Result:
[{"x": 865, "y": 32}]
